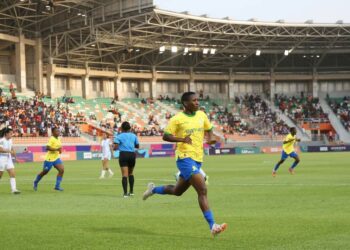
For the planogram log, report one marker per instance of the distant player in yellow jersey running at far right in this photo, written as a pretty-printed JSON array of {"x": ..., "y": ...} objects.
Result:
[{"x": 288, "y": 151}]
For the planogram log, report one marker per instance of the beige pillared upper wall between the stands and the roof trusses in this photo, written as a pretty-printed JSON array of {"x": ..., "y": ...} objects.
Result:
[{"x": 130, "y": 84}]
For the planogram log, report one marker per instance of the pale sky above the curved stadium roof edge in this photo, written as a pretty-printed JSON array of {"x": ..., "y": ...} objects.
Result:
[{"x": 320, "y": 11}]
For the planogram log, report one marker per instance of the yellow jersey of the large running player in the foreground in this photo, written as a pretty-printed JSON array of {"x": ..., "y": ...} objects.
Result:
[{"x": 182, "y": 125}]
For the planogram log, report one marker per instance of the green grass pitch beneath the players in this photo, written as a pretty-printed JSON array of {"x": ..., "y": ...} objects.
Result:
[{"x": 310, "y": 210}]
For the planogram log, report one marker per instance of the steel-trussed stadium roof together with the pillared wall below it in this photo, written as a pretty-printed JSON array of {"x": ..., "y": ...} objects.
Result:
[{"x": 108, "y": 48}]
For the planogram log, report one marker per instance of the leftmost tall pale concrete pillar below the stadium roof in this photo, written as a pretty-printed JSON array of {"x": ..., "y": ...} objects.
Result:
[{"x": 21, "y": 77}]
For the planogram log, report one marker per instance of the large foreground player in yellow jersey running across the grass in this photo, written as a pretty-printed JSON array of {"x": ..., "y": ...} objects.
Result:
[{"x": 187, "y": 130}]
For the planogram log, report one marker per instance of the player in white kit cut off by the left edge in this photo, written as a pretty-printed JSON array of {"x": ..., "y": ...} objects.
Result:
[{"x": 6, "y": 153}]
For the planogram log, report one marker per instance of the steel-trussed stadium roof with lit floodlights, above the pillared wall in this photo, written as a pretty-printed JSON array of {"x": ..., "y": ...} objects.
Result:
[{"x": 132, "y": 35}]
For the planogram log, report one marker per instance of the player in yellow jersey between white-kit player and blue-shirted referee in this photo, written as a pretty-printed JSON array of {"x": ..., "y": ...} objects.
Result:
[{"x": 52, "y": 159}]
